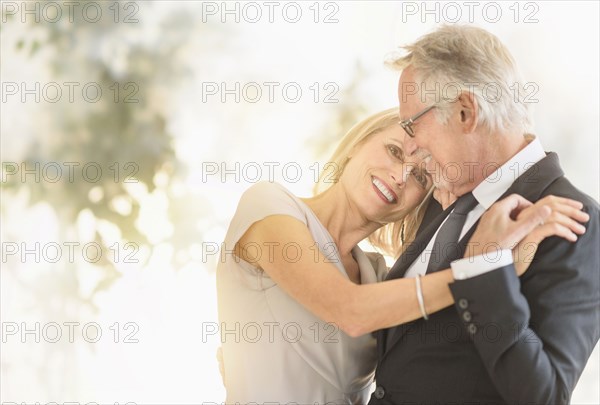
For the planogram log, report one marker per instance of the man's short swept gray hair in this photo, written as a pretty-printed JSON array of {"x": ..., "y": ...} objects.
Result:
[{"x": 465, "y": 58}]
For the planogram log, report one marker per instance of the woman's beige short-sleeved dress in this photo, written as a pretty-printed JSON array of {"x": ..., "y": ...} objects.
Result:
[{"x": 274, "y": 350}]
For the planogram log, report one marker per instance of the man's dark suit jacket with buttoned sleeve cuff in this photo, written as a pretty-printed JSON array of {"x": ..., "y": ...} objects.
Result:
[{"x": 506, "y": 339}]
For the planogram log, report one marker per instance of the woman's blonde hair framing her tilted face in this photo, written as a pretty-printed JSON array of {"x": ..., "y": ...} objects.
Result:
[{"x": 392, "y": 238}]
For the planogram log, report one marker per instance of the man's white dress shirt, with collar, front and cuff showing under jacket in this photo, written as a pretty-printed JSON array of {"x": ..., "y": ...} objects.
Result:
[{"x": 486, "y": 194}]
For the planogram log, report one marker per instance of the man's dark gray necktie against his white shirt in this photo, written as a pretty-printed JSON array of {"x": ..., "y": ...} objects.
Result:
[{"x": 446, "y": 241}]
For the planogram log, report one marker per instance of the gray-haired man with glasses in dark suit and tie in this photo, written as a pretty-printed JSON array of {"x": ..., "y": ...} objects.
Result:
[{"x": 506, "y": 340}]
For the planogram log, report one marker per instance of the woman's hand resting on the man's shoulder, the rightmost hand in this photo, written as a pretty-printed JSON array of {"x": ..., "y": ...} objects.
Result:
[{"x": 563, "y": 221}]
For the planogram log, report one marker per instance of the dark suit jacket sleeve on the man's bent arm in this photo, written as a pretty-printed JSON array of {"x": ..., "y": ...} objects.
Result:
[{"x": 535, "y": 335}]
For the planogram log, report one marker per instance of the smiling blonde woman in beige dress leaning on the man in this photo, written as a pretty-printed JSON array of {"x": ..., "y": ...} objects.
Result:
[{"x": 298, "y": 297}]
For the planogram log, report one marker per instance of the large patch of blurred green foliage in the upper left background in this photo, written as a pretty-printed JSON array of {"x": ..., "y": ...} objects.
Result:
[{"x": 126, "y": 127}]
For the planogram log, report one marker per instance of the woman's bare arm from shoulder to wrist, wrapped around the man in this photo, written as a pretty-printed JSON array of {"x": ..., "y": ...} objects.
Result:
[{"x": 304, "y": 273}]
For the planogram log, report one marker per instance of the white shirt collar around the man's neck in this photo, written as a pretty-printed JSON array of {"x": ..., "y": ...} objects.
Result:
[{"x": 496, "y": 184}]
